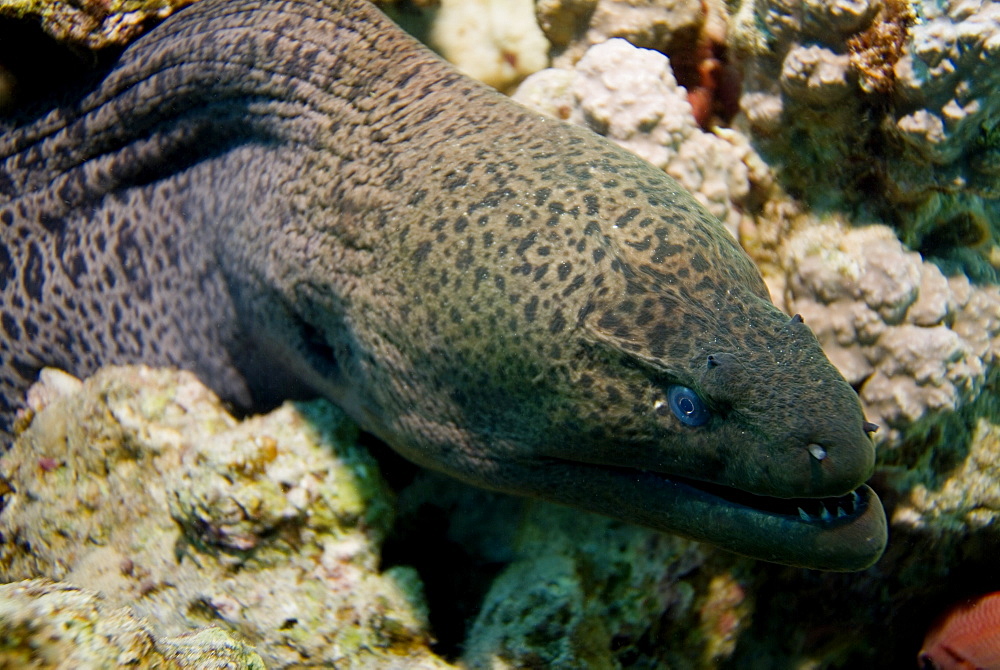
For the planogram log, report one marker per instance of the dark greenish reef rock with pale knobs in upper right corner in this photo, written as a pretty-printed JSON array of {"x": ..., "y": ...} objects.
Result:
[{"x": 890, "y": 105}]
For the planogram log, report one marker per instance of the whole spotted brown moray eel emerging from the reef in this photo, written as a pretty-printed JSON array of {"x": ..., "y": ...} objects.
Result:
[{"x": 294, "y": 197}]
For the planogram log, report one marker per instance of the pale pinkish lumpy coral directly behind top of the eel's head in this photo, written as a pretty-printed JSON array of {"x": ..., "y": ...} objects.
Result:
[{"x": 630, "y": 96}]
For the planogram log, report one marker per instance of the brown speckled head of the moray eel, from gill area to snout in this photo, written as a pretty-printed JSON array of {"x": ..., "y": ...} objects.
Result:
[{"x": 586, "y": 333}]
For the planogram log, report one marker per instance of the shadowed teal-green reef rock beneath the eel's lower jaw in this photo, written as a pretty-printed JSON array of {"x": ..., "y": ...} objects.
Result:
[{"x": 553, "y": 587}]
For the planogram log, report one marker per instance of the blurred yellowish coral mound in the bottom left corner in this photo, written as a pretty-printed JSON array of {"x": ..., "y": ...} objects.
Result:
[{"x": 45, "y": 624}]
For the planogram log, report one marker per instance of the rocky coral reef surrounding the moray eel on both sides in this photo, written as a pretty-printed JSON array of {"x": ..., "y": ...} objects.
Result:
[{"x": 853, "y": 147}]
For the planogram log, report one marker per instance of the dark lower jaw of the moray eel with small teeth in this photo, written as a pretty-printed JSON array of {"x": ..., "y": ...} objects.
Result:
[{"x": 846, "y": 533}]
